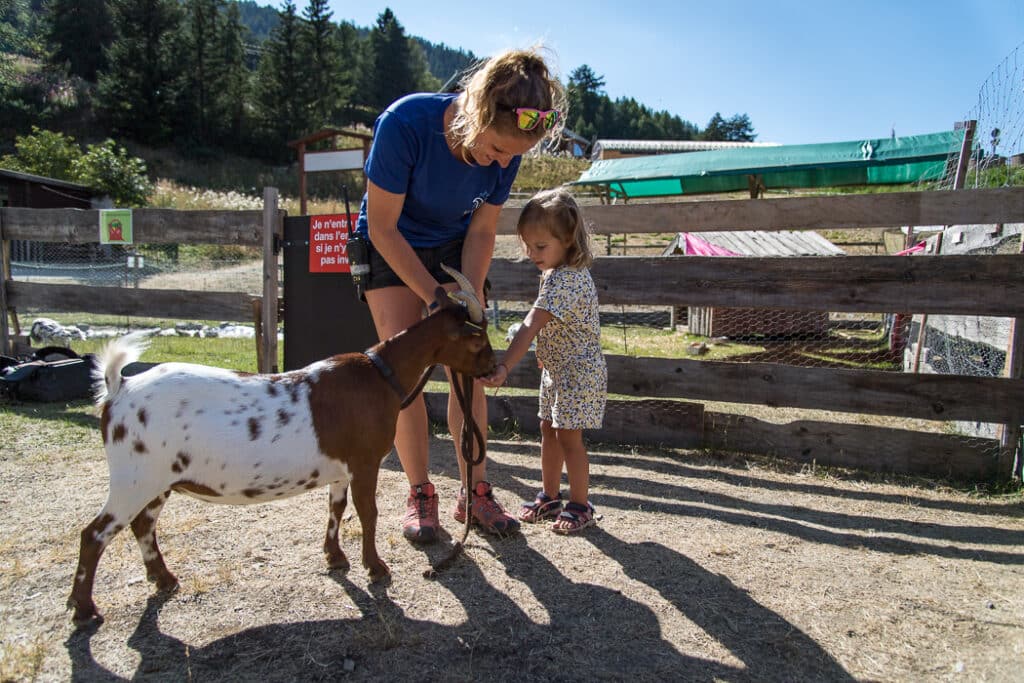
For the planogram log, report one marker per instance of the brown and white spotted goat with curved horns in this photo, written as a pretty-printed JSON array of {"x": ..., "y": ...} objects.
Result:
[{"x": 239, "y": 439}]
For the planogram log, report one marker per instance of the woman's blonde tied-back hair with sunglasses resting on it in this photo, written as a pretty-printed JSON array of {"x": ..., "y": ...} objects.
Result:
[{"x": 497, "y": 87}]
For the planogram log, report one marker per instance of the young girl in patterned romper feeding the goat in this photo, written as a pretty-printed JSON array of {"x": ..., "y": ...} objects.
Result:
[{"x": 574, "y": 380}]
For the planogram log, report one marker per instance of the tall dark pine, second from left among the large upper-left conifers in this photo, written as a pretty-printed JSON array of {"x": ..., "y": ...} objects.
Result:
[{"x": 139, "y": 93}]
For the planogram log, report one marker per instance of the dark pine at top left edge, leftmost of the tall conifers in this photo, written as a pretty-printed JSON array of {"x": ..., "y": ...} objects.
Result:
[{"x": 78, "y": 32}]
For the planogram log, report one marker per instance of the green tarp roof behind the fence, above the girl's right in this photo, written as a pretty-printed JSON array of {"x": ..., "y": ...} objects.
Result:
[{"x": 883, "y": 161}]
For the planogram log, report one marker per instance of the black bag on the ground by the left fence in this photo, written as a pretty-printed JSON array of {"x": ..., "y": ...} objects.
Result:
[{"x": 53, "y": 374}]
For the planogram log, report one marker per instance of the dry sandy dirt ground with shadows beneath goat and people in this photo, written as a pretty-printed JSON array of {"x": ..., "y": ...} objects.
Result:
[{"x": 702, "y": 570}]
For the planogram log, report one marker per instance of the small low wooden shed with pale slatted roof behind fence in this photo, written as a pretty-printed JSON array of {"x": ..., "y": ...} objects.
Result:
[{"x": 720, "y": 322}]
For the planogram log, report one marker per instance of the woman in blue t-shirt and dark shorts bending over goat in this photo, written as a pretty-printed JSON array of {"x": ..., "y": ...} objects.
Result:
[{"x": 439, "y": 172}]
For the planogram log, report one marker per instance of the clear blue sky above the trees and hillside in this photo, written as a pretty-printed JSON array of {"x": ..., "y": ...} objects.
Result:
[{"x": 804, "y": 72}]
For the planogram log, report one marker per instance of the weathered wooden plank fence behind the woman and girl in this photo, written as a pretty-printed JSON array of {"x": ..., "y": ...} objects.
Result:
[{"x": 663, "y": 393}]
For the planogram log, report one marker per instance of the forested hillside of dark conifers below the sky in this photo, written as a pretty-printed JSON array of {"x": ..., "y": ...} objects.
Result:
[{"x": 214, "y": 77}]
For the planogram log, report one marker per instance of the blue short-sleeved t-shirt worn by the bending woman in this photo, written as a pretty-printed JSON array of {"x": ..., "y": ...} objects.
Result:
[{"x": 410, "y": 157}]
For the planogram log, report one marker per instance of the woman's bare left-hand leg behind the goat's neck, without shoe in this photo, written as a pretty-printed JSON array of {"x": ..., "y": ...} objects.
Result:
[{"x": 394, "y": 310}]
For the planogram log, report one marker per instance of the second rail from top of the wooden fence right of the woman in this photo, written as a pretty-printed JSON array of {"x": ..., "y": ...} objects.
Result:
[{"x": 982, "y": 285}]
